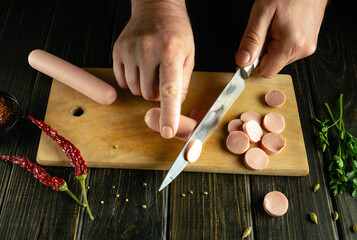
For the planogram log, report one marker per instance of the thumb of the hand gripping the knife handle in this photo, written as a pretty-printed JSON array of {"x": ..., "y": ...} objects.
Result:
[{"x": 255, "y": 34}]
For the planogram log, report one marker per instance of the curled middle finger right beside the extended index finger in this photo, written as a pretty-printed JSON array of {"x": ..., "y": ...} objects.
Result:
[{"x": 149, "y": 82}]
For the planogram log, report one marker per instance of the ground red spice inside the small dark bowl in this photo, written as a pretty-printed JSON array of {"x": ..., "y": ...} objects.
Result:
[{"x": 8, "y": 113}]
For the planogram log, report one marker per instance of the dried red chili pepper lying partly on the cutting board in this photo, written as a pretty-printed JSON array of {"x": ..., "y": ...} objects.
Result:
[{"x": 71, "y": 152}]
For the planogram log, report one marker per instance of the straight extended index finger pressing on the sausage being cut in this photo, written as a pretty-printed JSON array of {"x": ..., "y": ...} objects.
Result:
[{"x": 171, "y": 77}]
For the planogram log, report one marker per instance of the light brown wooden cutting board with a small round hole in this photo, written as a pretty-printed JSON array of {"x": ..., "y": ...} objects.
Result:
[{"x": 100, "y": 128}]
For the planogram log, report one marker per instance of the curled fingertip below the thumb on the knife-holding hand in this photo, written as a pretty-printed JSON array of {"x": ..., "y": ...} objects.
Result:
[{"x": 277, "y": 56}]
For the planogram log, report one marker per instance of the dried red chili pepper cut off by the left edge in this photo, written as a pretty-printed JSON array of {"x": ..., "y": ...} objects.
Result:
[{"x": 56, "y": 183}]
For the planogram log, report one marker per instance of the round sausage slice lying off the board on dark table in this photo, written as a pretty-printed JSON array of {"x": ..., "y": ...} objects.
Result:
[{"x": 275, "y": 203}]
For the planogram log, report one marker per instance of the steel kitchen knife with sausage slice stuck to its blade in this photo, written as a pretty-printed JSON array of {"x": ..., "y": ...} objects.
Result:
[{"x": 215, "y": 114}]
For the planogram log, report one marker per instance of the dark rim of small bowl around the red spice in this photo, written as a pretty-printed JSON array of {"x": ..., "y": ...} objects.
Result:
[{"x": 12, "y": 130}]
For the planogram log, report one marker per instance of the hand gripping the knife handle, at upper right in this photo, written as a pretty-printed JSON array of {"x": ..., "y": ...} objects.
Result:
[{"x": 289, "y": 28}]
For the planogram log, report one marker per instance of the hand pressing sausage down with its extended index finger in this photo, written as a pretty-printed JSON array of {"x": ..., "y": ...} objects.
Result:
[{"x": 154, "y": 57}]
